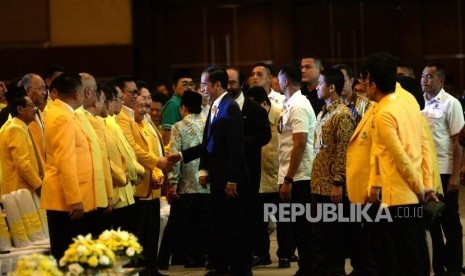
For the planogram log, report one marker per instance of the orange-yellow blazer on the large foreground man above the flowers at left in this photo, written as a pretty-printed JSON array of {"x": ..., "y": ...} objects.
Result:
[{"x": 68, "y": 175}]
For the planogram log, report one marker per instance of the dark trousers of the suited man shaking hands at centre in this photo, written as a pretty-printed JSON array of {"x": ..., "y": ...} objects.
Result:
[{"x": 232, "y": 250}]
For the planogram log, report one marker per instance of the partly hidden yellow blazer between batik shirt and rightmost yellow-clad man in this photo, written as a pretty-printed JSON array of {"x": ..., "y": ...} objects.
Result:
[{"x": 358, "y": 158}]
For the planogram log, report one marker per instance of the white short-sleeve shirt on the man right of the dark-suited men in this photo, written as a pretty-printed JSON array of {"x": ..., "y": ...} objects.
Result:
[{"x": 297, "y": 117}]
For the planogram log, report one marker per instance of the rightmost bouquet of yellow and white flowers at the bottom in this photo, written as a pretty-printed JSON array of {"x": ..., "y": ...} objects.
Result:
[{"x": 123, "y": 244}]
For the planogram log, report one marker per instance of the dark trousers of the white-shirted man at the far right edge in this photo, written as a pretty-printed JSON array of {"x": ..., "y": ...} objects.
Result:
[{"x": 450, "y": 254}]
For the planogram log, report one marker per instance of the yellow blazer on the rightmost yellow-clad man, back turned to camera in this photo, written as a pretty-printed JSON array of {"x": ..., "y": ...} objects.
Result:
[{"x": 396, "y": 161}]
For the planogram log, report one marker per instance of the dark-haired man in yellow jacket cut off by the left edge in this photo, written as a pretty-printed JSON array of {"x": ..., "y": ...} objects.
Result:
[{"x": 20, "y": 163}]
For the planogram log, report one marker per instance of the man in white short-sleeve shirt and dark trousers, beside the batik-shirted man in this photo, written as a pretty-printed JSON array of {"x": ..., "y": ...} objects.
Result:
[{"x": 296, "y": 132}]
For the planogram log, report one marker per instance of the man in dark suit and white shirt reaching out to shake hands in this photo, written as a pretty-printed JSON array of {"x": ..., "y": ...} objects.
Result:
[{"x": 223, "y": 166}]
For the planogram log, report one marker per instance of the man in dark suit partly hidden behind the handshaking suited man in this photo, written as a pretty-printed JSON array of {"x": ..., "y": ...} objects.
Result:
[{"x": 257, "y": 133}]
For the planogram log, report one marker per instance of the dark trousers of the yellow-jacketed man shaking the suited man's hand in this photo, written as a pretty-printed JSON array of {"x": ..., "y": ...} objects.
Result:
[{"x": 146, "y": 221}]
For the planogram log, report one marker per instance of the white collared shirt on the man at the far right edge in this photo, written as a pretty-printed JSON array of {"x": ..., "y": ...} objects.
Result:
[{"x": 445, "y": 118}]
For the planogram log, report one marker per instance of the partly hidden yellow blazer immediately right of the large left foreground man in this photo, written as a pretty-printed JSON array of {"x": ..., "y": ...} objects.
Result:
[{"x": 102, "y": 174}]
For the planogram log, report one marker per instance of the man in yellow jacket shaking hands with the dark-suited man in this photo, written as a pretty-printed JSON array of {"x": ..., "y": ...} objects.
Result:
[{"x": 149, "y": 153}]
